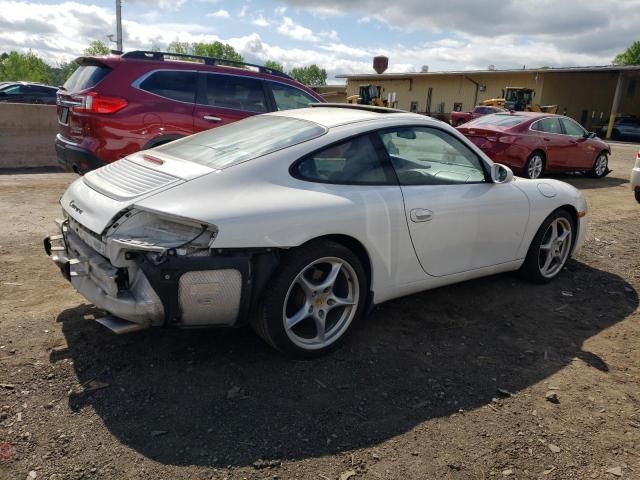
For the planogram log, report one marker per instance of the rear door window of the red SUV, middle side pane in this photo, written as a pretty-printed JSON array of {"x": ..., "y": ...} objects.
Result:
[{"x": 236, "y": 92}]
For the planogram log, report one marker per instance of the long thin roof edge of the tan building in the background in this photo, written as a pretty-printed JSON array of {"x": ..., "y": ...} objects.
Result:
[{"x": 592, "y": 69}]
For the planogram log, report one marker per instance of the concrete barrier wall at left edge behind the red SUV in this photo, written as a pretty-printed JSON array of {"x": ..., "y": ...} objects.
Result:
[{"x": 27, "y": 133}]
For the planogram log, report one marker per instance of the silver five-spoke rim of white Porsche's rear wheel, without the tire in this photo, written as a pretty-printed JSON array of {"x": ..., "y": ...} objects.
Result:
[{"x": 321, "y": 303}]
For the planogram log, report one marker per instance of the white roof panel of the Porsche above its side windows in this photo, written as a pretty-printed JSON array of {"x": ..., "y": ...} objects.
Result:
[{"x": 334, "y": 115}]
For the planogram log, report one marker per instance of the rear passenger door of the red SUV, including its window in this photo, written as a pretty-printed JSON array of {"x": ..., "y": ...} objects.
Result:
[{"x": 224, "y": 98}]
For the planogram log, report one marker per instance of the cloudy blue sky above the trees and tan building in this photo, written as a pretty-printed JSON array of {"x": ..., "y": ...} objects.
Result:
[{"x": 339, "y": 35}]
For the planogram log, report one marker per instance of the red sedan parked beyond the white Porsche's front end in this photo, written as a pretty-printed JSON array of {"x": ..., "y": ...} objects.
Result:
[{"x": 533, "y": 144}]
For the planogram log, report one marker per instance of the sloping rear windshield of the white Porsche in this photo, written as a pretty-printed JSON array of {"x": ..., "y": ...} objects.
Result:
[{"x": 231, "y": 144}]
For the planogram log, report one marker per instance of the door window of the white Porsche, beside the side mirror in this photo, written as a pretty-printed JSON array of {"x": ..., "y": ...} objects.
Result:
[{"x": 428, "y": 156}]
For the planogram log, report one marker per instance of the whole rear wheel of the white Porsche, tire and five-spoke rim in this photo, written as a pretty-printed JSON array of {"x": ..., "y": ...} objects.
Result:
[{"x": 314, "y": 299}]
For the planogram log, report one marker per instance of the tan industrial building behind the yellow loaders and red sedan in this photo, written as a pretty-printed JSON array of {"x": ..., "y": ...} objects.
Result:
[{"x": 590, "y": 95}]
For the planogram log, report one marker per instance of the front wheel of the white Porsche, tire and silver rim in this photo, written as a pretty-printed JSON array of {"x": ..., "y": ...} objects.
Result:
[{"x": 550, "y": 248}]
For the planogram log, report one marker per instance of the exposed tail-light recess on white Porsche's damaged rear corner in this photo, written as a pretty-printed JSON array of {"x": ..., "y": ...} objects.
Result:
[{"x": 142, "y": 230}]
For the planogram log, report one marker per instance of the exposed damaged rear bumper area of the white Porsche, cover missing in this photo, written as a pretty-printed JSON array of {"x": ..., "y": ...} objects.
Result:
[{"x": 153, "y": 289}]
